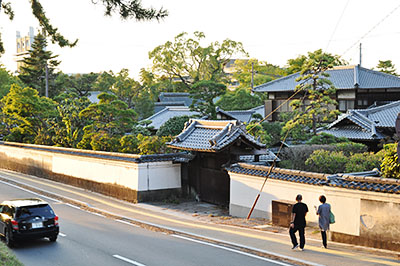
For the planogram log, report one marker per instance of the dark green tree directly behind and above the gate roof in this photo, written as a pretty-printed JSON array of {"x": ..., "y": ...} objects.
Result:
[{"x": 203, "y": 93}]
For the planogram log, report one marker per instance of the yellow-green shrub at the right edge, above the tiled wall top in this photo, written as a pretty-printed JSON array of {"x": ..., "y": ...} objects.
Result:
[{"x": 390, "y": 166}]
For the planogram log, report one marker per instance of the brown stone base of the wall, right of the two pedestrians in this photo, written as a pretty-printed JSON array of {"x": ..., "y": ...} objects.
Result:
[{"x": 377, "y": 242}]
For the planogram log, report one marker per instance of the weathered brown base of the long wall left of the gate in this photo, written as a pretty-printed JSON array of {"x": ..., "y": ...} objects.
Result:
[{"x": 108, "y": 189}]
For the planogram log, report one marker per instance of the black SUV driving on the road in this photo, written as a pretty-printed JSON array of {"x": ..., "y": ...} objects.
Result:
[{"x": 27, "y": 219}]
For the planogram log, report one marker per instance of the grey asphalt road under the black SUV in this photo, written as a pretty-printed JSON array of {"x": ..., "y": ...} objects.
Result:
[{"x": 90, "y": 239}]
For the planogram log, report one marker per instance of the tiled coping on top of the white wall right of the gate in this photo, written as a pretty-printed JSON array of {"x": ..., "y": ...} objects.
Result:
[{"x": 364, "y": 183}]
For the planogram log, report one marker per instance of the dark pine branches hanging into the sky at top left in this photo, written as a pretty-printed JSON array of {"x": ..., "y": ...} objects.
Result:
[{"x": 125, "y": 8}]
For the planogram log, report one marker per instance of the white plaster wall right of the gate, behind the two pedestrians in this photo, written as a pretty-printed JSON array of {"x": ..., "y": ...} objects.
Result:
[{"x": 345, "y": 203}]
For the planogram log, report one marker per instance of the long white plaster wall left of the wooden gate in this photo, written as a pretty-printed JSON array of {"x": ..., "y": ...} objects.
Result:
[{"x": 136, "y": 176}]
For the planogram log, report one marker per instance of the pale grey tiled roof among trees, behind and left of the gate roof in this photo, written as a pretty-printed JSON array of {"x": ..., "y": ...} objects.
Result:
[{"x": 158, "y": 119}]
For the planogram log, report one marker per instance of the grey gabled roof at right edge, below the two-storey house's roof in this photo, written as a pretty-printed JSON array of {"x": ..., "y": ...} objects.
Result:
[{"x": 365, "y": 124}]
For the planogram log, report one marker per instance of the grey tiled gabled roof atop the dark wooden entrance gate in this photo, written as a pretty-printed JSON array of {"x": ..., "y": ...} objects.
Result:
[{"x": 212, "y": 136}]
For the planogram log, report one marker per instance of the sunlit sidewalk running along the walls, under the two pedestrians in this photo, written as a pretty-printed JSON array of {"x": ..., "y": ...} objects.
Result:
[{"x": 208, "y": 223}]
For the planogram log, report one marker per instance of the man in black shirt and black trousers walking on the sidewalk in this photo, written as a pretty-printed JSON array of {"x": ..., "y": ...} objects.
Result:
[{"x": 298, "y": 222}]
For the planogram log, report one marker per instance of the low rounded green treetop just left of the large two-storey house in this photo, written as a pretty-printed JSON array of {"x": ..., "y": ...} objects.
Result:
[{"x": 240, "y": 99}]
